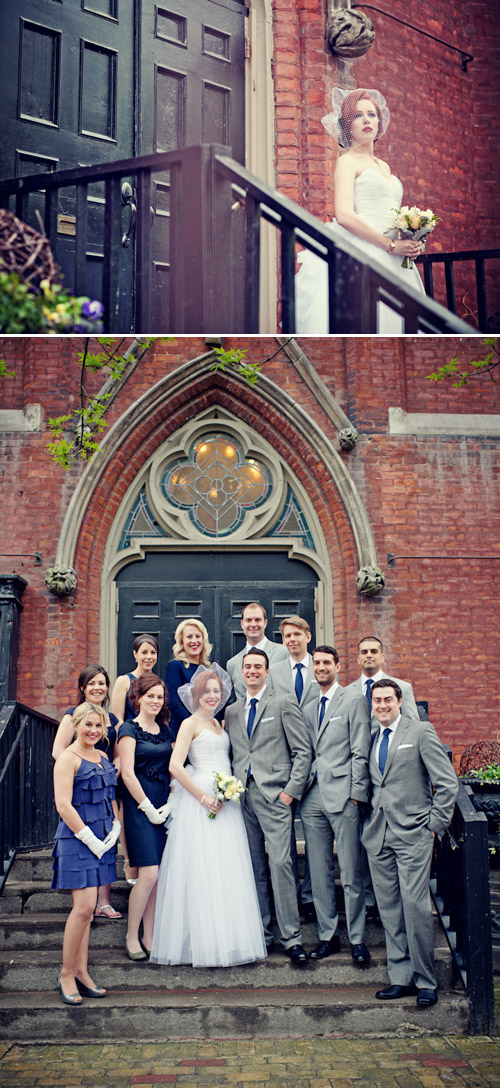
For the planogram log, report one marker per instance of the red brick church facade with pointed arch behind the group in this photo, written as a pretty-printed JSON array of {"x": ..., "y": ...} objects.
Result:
[{"x": 343, "y": 486}]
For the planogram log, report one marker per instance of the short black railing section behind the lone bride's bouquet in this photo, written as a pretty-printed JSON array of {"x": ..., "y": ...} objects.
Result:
[{"x": 479, "y": 258}]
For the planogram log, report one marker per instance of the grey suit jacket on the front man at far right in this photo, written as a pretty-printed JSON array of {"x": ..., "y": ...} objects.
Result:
[{"x": 403, "y": 798}]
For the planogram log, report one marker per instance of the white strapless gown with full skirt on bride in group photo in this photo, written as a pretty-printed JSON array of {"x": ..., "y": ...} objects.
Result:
[{"x": 207, "y": 908}]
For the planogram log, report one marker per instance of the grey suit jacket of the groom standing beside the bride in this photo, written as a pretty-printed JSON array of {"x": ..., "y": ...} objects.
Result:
[{"x": 279, "y": 750}]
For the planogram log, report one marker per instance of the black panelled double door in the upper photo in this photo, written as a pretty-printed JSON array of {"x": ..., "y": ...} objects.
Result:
[{"x": 93, "y": 81}]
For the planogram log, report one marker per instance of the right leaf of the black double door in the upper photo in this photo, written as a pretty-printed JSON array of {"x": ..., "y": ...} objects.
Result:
[{"x": 192, "y": 92}]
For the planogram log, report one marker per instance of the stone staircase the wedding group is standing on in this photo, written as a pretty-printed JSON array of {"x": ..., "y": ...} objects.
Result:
[{"x": 153, "y": 1003}]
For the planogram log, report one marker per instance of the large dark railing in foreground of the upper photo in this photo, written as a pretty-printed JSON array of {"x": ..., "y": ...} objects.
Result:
[{"x": 216, "y": 215}]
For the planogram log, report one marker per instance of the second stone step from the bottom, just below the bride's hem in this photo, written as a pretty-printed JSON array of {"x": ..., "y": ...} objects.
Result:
[{"x": 20, "y": 971}]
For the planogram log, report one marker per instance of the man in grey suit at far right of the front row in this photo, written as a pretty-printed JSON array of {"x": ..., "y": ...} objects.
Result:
[{"x": 407, "y": 763}]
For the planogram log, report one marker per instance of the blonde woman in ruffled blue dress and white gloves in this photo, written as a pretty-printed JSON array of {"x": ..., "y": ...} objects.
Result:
[{"x": 83, "y": 856}]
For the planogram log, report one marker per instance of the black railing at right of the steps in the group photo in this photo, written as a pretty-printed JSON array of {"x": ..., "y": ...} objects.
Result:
[{"x": 460, "y": 888}]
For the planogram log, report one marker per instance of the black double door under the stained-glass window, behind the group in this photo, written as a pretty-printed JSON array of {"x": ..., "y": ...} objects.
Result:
[{"x": 156, "y": 595}]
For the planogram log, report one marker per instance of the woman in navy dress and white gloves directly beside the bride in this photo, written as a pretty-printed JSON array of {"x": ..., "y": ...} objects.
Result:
[{"x": 145, "y": 748}]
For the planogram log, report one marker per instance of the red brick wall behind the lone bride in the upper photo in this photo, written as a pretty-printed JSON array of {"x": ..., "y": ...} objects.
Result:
[{"x": 444, "y": 137}]
